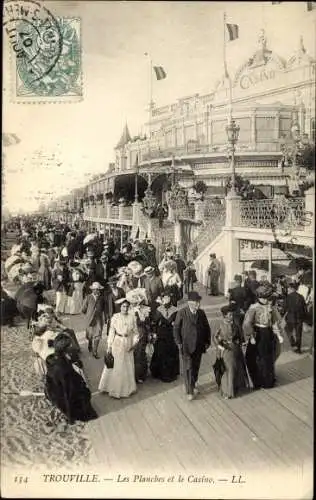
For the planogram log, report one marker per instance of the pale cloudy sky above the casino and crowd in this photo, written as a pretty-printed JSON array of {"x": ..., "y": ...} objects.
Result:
[{"x": 77, "y": 140}]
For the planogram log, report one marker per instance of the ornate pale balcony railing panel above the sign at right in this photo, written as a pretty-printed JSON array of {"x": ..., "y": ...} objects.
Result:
[{"x": 274, "y": 213}]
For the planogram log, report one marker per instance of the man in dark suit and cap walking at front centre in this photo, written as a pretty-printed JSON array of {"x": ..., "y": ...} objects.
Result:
[{"x": 192, "y": 334}]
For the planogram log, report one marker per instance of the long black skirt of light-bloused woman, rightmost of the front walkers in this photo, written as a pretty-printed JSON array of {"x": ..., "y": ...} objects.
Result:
[{"x": 260, "y": 358}]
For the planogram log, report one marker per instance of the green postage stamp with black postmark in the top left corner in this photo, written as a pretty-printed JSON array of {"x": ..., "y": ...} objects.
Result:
[{"x": 45, "y": 54}]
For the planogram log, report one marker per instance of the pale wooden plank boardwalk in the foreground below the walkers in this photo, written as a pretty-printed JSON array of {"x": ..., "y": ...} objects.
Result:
[{"x": 158, "y": 430}]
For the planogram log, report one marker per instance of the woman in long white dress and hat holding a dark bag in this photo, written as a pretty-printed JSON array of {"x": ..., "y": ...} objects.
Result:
[{"x": 119, "y": 381}]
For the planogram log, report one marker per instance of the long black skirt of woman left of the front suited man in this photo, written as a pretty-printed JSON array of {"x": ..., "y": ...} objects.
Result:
[{"x": 165, "y": 364}]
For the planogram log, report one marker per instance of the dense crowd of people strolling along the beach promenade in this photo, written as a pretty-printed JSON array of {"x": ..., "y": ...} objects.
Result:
[{"x": 133, "y": 301}]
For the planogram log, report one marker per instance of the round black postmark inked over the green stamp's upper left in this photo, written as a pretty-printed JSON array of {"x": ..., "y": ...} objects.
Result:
[{"x": 35, "y": 36}]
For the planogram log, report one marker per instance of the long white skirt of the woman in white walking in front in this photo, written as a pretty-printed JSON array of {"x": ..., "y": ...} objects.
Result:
[{"x": 119, "y": 381}]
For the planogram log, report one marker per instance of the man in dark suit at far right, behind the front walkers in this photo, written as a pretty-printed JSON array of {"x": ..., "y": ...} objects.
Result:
[{"x": 295, "y": 314}]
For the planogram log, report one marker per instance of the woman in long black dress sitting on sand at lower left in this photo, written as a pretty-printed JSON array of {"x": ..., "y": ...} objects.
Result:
[{"x": 65, "y": 387}]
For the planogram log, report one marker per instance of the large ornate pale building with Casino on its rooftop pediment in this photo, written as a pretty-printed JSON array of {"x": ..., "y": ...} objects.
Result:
[{"x": 187, "y": 141}]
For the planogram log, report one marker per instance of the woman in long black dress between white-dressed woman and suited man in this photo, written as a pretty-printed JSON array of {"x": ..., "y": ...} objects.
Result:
[{"x": 165, "y": 359}]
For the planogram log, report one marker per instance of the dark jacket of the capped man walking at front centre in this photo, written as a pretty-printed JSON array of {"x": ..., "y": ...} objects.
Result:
[{"x": 192, "y": 330}]
